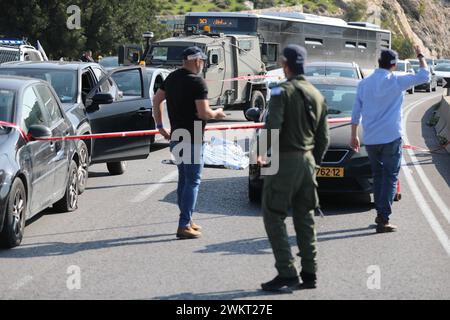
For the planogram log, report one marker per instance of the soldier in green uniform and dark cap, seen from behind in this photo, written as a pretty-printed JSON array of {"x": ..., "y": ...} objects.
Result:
[{"x": 299, "y": 111}]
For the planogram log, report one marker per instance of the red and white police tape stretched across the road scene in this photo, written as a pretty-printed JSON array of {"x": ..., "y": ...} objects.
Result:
[{"x": 140, "y": 133}]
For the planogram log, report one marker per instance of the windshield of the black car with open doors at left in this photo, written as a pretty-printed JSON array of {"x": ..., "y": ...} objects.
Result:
[{"x": 63, "y": 81}]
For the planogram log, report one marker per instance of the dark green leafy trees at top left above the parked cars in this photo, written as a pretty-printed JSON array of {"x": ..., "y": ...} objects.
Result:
[{"x": 104, "y": 24}]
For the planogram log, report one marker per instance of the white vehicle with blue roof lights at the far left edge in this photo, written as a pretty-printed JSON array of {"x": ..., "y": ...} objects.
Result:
[{"x": 18, "y": 50}]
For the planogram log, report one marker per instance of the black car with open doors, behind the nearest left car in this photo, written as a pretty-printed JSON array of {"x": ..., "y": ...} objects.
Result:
[{"x": 94, "y": 103}]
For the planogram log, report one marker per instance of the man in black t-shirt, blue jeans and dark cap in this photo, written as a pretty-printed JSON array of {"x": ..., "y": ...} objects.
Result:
[{"x": 186, "y": 94}]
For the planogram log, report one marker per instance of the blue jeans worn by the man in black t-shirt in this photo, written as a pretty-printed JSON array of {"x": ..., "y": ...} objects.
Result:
[{"x": 189, "y": 178}]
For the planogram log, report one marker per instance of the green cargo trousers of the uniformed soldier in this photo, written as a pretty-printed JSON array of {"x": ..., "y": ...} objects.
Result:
[{"x": 294, "y": 186}]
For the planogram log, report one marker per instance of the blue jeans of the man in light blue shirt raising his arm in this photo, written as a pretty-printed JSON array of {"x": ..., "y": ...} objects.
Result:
[{"x": 385, "y": 160}]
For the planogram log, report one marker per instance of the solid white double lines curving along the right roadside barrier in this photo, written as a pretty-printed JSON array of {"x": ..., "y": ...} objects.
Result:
[{"x": 418, "y": 196}]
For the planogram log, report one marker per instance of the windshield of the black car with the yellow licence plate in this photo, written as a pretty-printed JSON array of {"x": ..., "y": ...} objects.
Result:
[{"x": 339, "y": 99}]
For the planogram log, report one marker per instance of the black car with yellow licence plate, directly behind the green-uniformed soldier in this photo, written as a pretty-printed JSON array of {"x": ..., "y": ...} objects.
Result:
[{"x": 342, "y": 170}]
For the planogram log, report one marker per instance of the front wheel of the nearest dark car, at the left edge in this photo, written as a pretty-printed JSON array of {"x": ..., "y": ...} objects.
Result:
[{"x": 14, "y": 224}]
